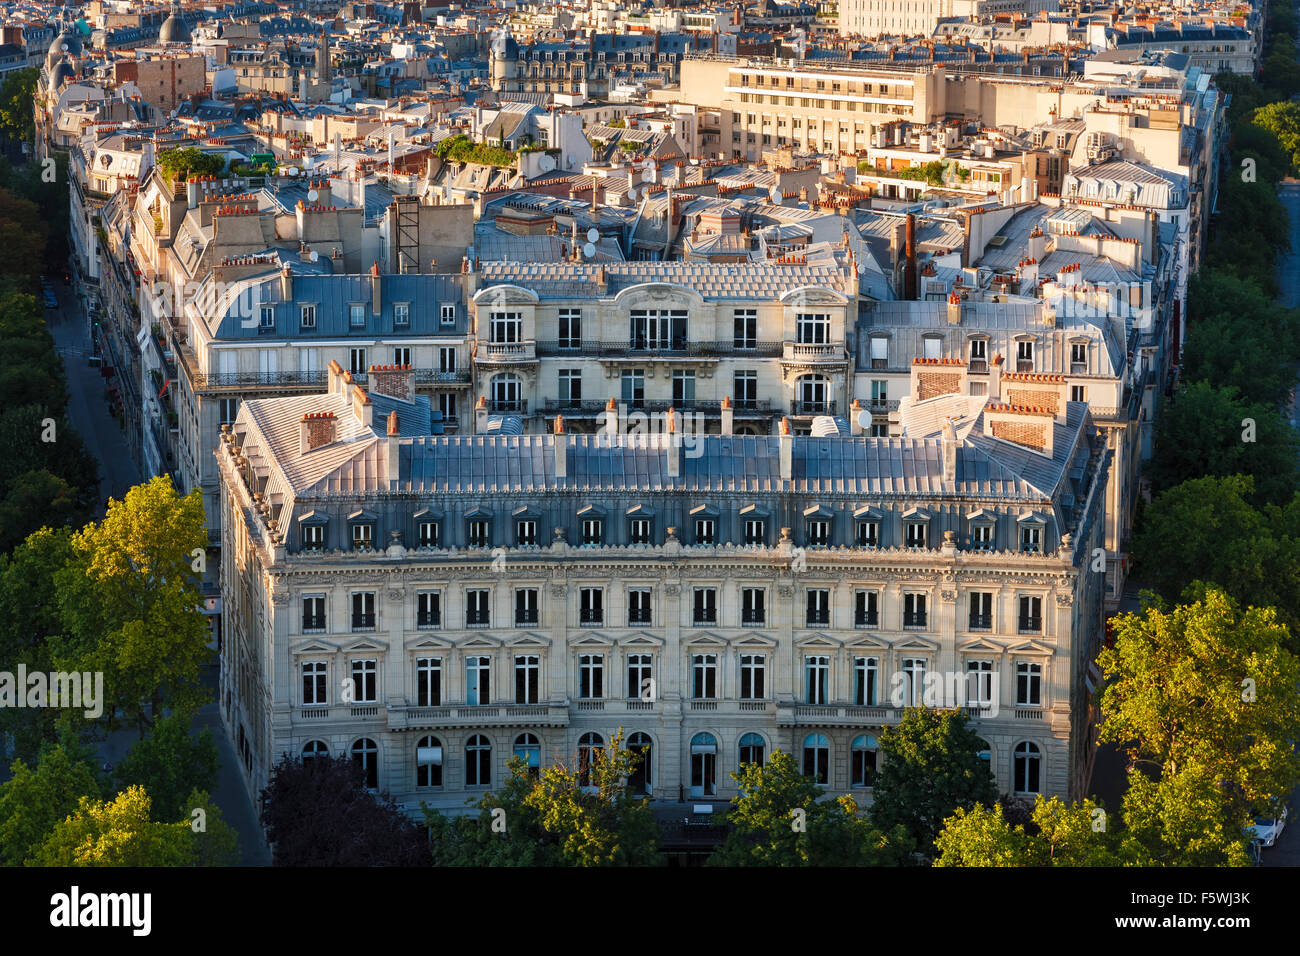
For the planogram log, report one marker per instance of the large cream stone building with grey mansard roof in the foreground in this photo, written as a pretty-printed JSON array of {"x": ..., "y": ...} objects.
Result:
[{"x": 434, "y": 605}]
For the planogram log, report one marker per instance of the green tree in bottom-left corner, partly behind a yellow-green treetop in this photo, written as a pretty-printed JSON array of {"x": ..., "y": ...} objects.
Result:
[{"x": 34, "y": 801}]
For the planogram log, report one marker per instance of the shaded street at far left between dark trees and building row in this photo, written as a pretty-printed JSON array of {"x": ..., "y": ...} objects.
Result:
[{"x": 86, "y": 408}]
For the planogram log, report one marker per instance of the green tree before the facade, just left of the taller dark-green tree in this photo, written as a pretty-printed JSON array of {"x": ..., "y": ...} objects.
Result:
[{"x": 781, "y": 820}]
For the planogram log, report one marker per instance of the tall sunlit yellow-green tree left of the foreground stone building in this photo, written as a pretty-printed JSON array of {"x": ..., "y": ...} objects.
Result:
[{"x": 132, "y": 603}]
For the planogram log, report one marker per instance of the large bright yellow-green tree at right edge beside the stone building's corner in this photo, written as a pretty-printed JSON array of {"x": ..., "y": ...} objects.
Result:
[{"x": 1210, "y": 690}]
